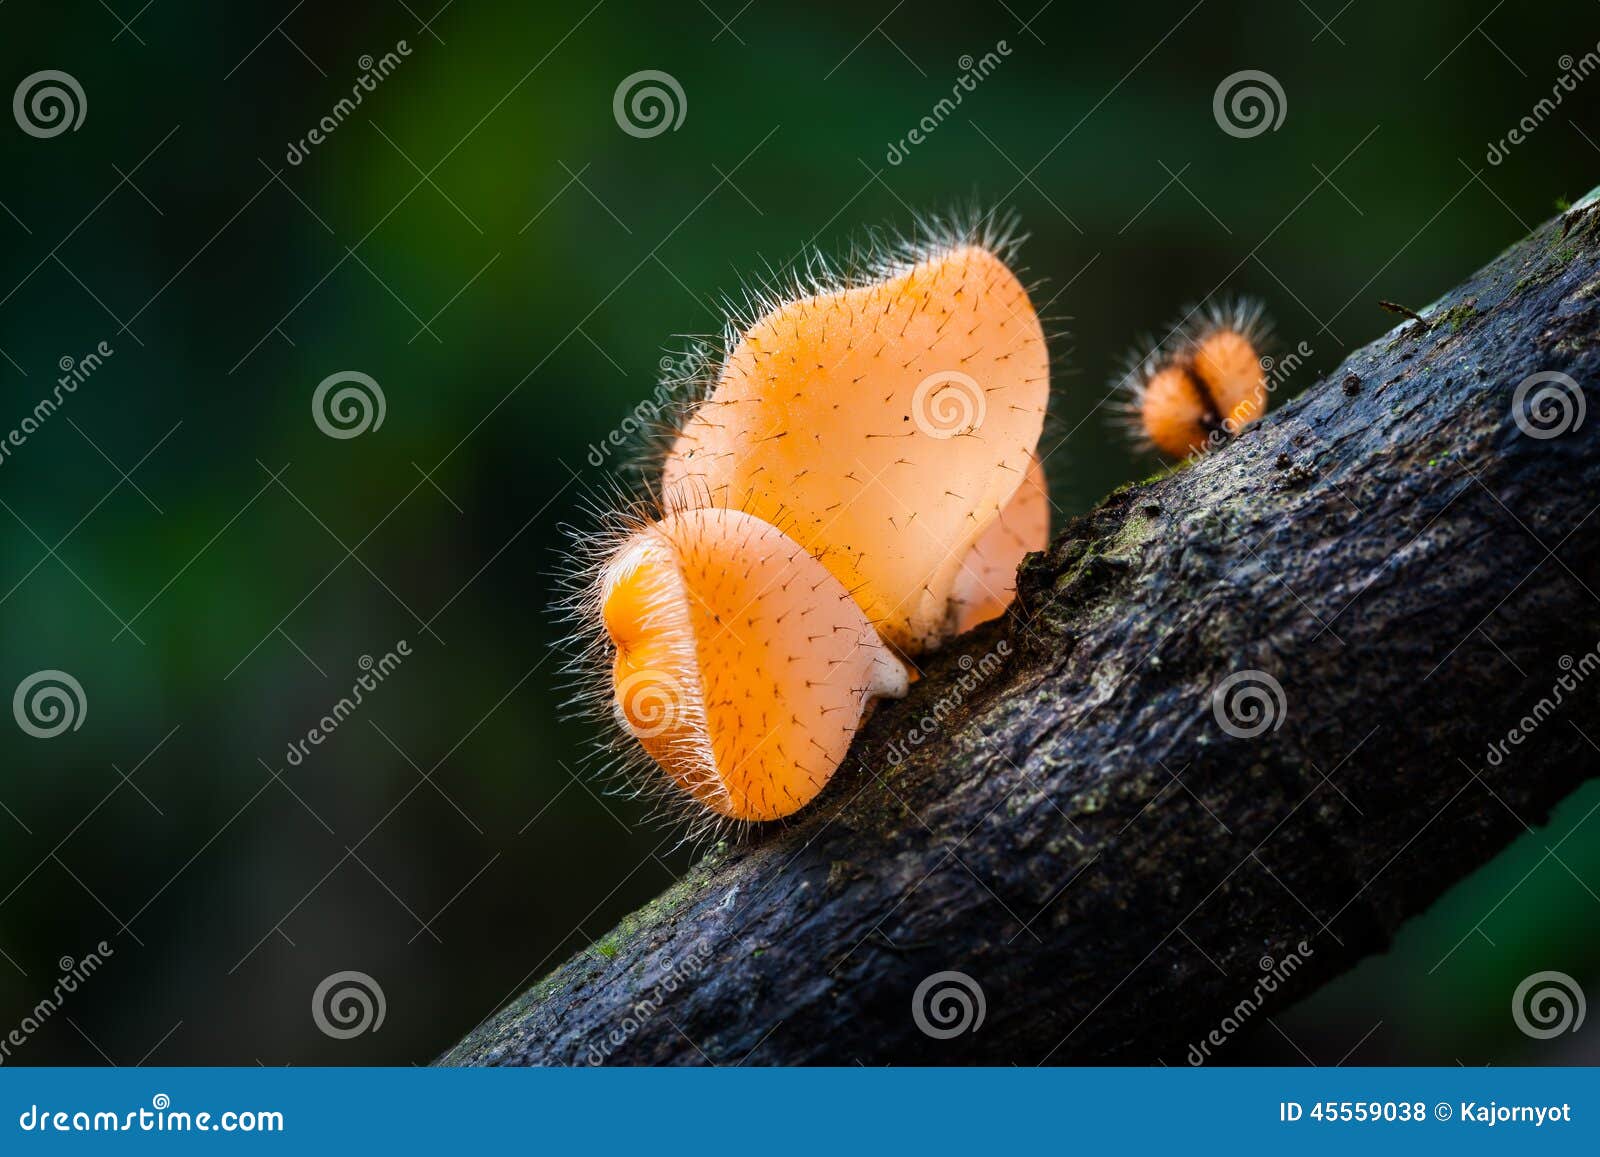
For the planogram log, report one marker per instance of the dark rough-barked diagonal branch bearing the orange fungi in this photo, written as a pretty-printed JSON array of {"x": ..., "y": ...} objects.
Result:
[{"x": 1079, "y": 835}]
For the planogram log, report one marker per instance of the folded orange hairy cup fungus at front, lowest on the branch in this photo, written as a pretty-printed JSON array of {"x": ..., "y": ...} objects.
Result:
[{"x": 743, "y": 667}]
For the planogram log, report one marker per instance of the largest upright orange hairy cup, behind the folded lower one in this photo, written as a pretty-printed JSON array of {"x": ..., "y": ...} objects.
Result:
[{"x": 886, "y": 426}]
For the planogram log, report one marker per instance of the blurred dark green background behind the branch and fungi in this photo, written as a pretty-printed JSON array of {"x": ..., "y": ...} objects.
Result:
[{"x": 511, "y": 266}]
